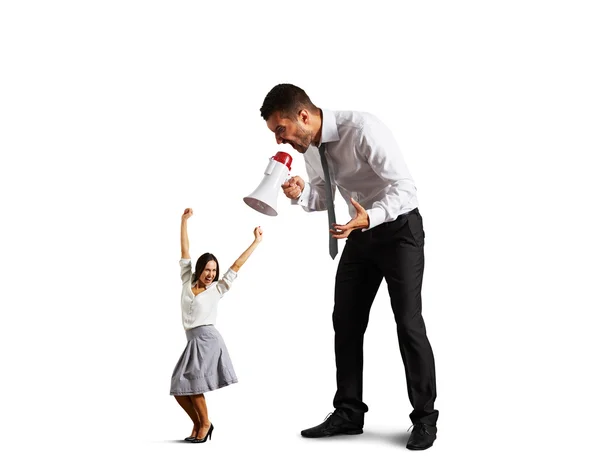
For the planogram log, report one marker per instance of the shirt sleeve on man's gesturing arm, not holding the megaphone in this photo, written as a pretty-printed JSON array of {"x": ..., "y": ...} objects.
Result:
[{"x": 378, "y": 146}]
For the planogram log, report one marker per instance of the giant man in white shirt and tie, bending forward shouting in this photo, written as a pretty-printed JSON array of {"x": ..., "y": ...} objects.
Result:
[{"x": 385, "y": 239}]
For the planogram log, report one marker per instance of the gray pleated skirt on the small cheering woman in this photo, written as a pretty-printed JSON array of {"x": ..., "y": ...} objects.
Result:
[{"x": 204, "y": 365}]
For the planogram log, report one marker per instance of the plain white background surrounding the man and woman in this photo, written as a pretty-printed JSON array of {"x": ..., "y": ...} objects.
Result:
[{"x": 116, "y": 115}]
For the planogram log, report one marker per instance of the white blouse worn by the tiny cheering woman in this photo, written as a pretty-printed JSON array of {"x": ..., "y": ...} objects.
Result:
[{"x": 201, "y": 309}]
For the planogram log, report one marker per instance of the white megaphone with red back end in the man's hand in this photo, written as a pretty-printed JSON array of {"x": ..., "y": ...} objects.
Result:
[{"x": 264, "y": 198}]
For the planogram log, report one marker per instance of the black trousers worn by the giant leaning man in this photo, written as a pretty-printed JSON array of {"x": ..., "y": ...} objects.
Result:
[{"x": 393, "y": 251}]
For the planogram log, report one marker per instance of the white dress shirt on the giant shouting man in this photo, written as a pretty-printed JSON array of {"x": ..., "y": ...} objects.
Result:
[{"x": 365, "y": 163}]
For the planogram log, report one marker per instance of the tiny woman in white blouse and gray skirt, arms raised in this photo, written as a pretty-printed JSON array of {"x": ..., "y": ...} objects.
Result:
[{"x": 205, "y": 364}]
